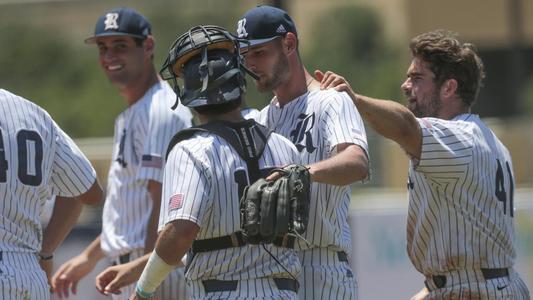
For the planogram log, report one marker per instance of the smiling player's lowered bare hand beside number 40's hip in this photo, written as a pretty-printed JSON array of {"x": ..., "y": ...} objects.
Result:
[{"x": 66, "y": 279}]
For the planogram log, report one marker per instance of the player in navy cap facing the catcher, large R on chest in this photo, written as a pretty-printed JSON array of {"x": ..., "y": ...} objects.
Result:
[{"x": 330, "y": 137}]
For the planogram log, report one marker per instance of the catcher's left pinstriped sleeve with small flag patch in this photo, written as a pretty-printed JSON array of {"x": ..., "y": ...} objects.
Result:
[{"x": 186, "y": 188}]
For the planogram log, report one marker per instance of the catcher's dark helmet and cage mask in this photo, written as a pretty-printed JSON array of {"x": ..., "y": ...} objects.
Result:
[{"x": 208, "y": 61}]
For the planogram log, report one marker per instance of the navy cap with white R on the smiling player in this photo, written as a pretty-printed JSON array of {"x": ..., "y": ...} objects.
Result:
[{"x": 121, "y": 21}]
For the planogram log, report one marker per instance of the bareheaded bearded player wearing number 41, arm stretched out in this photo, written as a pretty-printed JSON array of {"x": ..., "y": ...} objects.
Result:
[{"x": 460, "y": 232}]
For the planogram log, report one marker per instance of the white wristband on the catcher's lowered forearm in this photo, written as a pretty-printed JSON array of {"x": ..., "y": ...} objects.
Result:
[{"x": 154, "y": 273}]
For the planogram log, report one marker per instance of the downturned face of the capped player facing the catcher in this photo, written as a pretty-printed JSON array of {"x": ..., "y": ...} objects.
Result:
[{"x": 270, "y": 63}]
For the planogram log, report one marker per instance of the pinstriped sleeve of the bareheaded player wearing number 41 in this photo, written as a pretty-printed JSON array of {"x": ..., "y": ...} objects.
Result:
[{"x": 446, "y": 147}]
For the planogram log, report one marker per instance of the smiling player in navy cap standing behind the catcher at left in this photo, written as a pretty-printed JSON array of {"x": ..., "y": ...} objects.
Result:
[{"x": 142, "y": 133}]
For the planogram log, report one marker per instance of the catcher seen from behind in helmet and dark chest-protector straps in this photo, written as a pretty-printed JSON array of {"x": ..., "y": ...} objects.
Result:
[{"x": 204, "y": 177}]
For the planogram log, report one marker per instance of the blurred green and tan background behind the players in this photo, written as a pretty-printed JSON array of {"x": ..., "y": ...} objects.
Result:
[{"x": 43, "y": 58}]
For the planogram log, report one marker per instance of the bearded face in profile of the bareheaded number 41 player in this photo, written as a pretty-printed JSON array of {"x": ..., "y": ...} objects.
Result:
[{"x": 421, "y": 91}]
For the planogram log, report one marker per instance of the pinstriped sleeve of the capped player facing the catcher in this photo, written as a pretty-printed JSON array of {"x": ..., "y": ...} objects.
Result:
[{"x": 342, "y": 122}]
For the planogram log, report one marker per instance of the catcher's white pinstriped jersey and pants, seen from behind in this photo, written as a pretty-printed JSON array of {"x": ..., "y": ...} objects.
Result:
[{"x": 204, "y": 180}]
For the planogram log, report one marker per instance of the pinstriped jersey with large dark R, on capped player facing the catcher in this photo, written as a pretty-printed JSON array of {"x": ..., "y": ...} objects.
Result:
[{"x": 316, "y": 123}]
